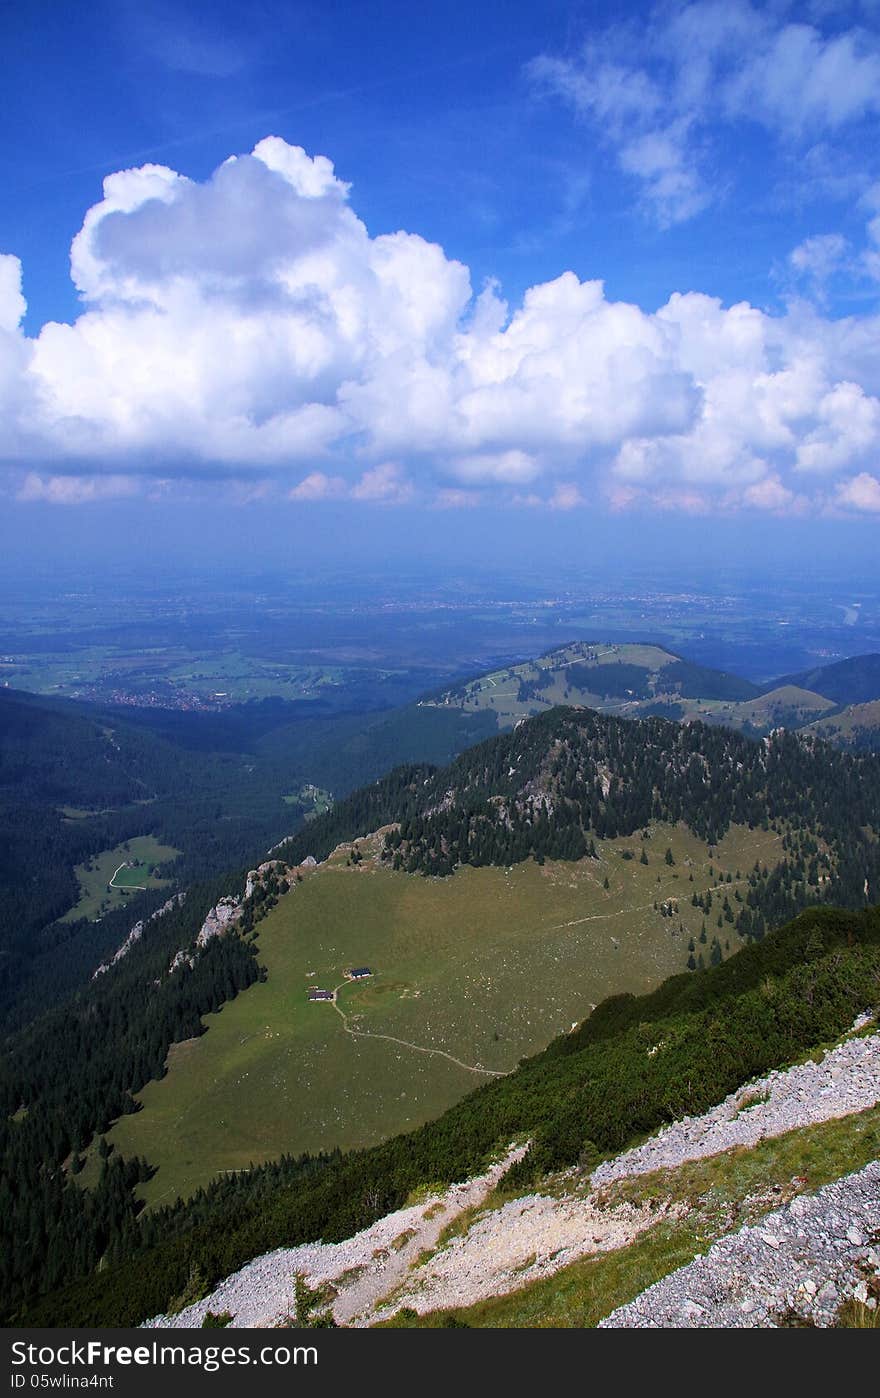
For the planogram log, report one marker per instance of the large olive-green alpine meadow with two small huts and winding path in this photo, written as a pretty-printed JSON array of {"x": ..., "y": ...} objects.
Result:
[{"x": 469, "y": 975}]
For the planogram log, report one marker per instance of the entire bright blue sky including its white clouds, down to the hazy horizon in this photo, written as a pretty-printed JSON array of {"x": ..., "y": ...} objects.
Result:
[{"x": 502, "y": 264}]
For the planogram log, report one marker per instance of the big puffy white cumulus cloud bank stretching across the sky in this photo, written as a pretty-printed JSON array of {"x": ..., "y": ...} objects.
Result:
[{"x": 251, "y": 328}]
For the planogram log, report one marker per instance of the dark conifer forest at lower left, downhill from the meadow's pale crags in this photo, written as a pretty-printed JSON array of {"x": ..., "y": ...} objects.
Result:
[{"x": 73, "y": 1072}]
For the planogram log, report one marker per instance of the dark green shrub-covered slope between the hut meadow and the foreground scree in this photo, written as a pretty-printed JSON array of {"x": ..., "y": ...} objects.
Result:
[{"x": 588, "y": 1095}]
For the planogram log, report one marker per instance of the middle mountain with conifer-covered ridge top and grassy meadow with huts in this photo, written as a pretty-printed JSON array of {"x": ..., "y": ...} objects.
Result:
[{"x": 587, "y": 853}]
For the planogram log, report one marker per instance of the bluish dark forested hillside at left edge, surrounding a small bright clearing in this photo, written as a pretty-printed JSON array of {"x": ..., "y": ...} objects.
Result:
[{"x": 76, "y": 782}]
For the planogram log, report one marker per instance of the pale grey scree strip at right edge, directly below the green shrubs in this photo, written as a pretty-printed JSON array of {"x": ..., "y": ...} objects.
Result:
[{"x": 846, "y": 1081}]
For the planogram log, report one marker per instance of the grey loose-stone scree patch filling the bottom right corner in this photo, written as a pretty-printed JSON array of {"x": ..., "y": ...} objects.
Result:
[{"x": 801, "y": 1262}]
